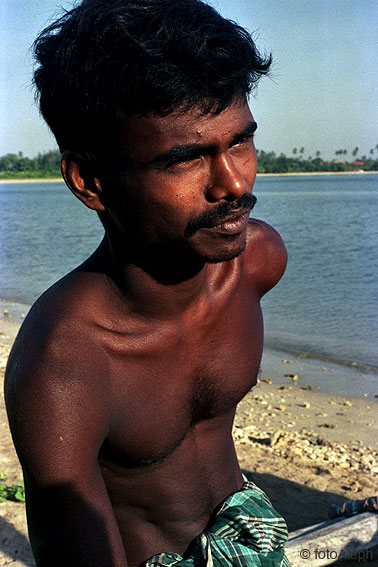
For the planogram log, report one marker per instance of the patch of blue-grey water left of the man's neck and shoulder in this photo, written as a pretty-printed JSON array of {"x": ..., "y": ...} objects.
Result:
[{"x": 44, "y": 233}]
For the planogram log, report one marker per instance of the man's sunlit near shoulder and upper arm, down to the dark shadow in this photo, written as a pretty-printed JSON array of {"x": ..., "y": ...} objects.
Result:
[{"x": 56, "y": 391}]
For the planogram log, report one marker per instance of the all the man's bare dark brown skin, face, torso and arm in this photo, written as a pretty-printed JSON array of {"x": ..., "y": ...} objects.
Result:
[{"x": 123, "y": 382}]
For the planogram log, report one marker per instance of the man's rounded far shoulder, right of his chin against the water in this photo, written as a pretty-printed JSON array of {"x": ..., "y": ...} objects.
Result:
[{"x": 265, "y": 257}]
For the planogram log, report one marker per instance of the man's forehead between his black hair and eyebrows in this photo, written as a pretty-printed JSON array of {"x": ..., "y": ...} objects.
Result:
[{"x": 144, "y": 137}]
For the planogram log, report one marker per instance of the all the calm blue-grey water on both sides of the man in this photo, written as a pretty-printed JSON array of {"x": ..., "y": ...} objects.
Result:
[{"x": 326, "y": 304}]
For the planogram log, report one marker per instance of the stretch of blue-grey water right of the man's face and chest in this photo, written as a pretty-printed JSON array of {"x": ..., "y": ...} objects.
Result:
[{"x": 326, "y": 304}]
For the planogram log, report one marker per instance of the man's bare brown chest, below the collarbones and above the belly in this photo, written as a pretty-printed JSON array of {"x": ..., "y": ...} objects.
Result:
[{"x": 183, "y": 376}]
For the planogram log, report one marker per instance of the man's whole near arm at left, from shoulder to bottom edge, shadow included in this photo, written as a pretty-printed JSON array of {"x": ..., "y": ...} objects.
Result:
[{"x": 58, "y": 400}]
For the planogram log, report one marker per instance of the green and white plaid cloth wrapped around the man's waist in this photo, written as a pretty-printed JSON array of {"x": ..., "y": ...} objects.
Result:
[{"x": 245, "y": 531}]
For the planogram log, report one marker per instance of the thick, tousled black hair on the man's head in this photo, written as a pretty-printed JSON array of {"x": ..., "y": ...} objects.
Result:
[{"x": 108, "y": 59}]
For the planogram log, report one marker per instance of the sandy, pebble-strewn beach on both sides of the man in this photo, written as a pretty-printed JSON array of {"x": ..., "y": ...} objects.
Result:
[{"x": 306, "y": 448}]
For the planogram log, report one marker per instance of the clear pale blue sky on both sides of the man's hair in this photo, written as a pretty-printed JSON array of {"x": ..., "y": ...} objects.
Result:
[{"x": 322, "y": 94}]
